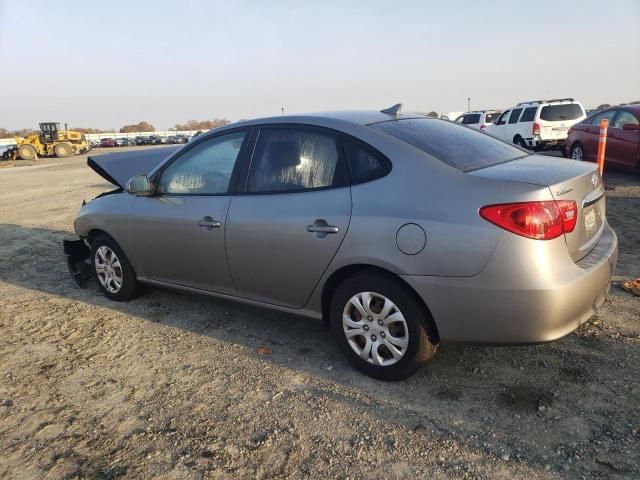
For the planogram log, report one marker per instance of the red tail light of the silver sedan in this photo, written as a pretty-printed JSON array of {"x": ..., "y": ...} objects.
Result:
[{"x": 538, "y": 220}]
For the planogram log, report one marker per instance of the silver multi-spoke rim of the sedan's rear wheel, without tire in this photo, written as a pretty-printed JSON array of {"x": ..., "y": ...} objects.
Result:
[{"x": 375, "y": 328}]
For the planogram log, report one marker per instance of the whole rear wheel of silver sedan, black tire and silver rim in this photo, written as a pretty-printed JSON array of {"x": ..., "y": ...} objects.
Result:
[{"x": 380, "y": 326}]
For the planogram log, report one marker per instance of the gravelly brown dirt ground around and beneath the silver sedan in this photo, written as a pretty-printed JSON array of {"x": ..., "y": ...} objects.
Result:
[{"x": 171, "y": 385}]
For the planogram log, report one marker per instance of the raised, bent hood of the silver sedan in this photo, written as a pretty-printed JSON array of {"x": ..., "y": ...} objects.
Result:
[{"x": 119, "y": 168}]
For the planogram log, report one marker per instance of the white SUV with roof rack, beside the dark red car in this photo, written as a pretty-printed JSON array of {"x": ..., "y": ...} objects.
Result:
[{"x": 540, "y": 124}]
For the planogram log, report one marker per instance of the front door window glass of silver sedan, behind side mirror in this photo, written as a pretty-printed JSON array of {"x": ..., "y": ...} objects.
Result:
[{"x": 204, "y": 169}]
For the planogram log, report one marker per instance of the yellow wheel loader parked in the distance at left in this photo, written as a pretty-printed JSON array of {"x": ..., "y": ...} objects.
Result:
[{"x": 51, "y": 141}]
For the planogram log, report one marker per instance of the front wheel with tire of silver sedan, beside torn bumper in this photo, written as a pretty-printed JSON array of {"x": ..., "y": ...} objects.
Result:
[{"x": 112, "y": 269}]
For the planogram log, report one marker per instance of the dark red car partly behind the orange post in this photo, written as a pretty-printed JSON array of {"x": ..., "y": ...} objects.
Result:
[{"x": 623, "y": 138}]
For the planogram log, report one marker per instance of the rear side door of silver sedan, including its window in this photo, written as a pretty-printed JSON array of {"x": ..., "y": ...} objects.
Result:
[{"x": 287, "y": 225}]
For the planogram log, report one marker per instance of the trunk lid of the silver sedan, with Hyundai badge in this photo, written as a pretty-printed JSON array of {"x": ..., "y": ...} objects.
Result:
[{"x": 566, "y": 180}]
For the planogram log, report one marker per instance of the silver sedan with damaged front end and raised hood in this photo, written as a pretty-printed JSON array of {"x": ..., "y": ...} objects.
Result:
[{"x": 401, "y": 231}]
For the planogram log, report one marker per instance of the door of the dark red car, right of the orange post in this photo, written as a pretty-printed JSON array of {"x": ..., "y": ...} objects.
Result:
[{"x": 622, "y": 145}]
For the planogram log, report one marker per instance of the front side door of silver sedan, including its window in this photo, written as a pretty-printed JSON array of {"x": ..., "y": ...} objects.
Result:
[{"x": 179, "y": 232}]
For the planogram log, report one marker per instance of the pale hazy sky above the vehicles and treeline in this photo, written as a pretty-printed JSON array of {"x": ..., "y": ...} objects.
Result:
[{"x": 103, "y": 64}]
